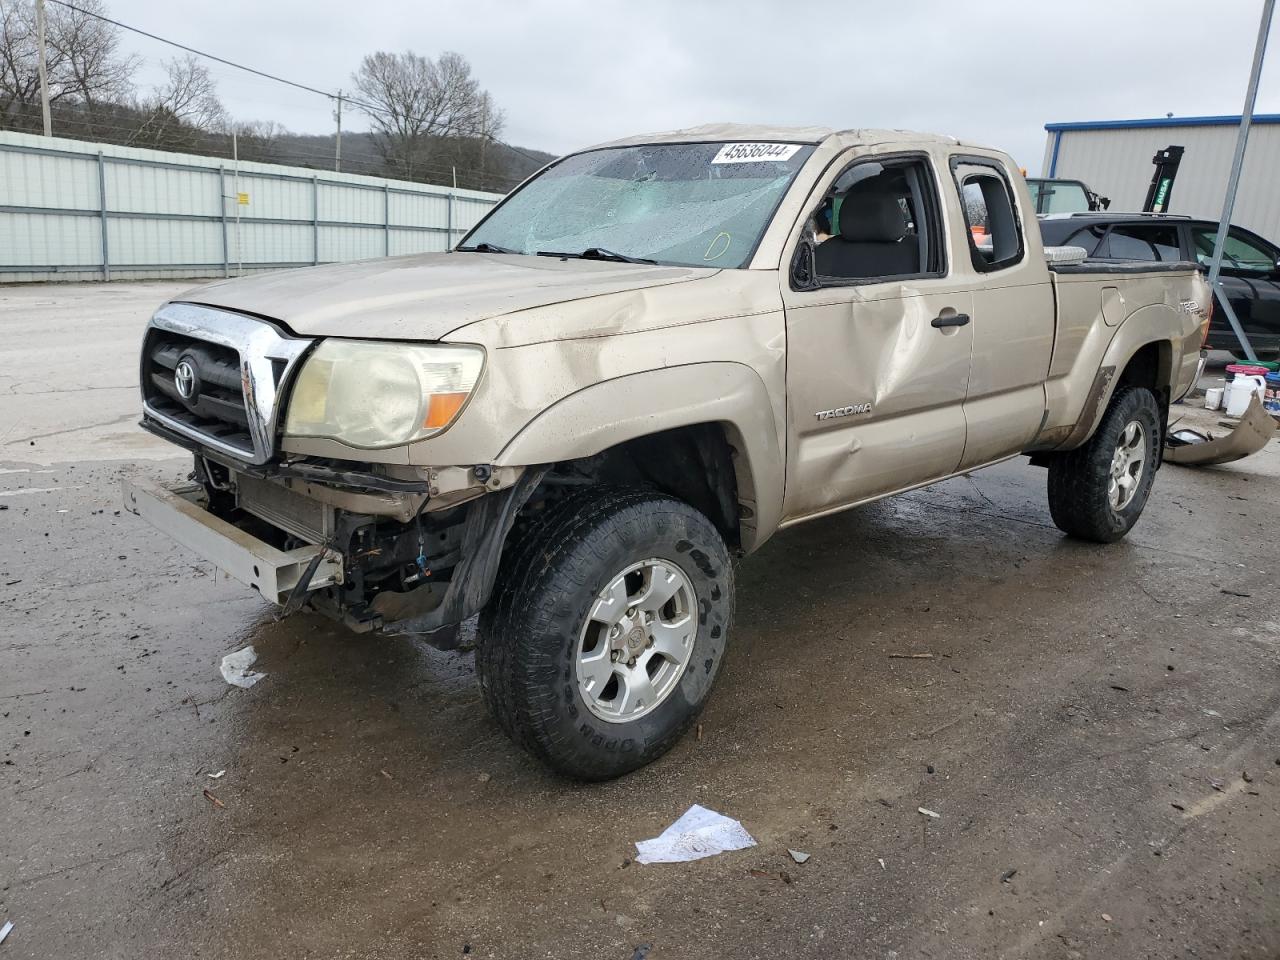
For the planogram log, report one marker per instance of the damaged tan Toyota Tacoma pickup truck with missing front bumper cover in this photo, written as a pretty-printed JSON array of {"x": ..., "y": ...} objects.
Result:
[{"x": 641, "y": 365}]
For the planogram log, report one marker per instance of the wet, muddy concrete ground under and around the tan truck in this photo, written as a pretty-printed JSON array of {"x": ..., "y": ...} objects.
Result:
[{"x": 1099, "y": 730}]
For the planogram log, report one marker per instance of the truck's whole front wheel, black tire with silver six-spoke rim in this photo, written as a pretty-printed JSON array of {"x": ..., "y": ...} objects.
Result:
[{"x": 607, "y": 632}]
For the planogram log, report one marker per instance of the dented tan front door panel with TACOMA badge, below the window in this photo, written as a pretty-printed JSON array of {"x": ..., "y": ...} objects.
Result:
[{"x": 875, "y": 392}]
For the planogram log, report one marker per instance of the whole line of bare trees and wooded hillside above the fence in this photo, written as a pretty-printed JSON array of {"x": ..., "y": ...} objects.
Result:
[{"x": 429, "y": 120}]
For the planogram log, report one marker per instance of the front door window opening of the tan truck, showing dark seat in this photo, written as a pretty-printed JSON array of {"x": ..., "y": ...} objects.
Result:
[{"x": 879, "y": 222}]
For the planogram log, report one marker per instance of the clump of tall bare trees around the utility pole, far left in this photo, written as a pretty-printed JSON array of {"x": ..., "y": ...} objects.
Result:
[{"x": 86, "y": 66}]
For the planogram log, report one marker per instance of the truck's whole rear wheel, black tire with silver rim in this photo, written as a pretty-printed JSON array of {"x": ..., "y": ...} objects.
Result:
[{"x": 1099, "y": 491}]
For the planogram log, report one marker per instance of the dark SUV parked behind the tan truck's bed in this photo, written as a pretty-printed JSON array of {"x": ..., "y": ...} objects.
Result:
[{"x": 1251, "y": 266}]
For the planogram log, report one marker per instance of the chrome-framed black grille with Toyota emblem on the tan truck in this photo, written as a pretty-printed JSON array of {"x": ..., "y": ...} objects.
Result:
[{"x": 234, "y": 369}]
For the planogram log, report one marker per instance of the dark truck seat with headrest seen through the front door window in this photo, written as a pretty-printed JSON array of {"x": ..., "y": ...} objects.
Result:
[{"x": 871, "y": 243}]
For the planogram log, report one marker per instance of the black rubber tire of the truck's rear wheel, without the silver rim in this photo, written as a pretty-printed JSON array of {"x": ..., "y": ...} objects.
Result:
[{"x": 1078, "y": 479}]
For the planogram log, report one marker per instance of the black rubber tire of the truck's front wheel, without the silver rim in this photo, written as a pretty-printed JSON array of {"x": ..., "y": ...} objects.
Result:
[{"x": 531, "y": 630}]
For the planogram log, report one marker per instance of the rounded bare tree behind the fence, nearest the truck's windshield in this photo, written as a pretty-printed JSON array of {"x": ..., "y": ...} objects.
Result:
[{"x": 414, "y": 102}]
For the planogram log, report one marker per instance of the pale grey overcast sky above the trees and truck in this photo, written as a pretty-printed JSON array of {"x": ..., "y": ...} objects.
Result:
[{"x": 569, "y": 75}]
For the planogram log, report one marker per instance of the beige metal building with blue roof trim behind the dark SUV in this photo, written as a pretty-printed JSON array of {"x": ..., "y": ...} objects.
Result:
[{"x": 1114, "y": 159}]
